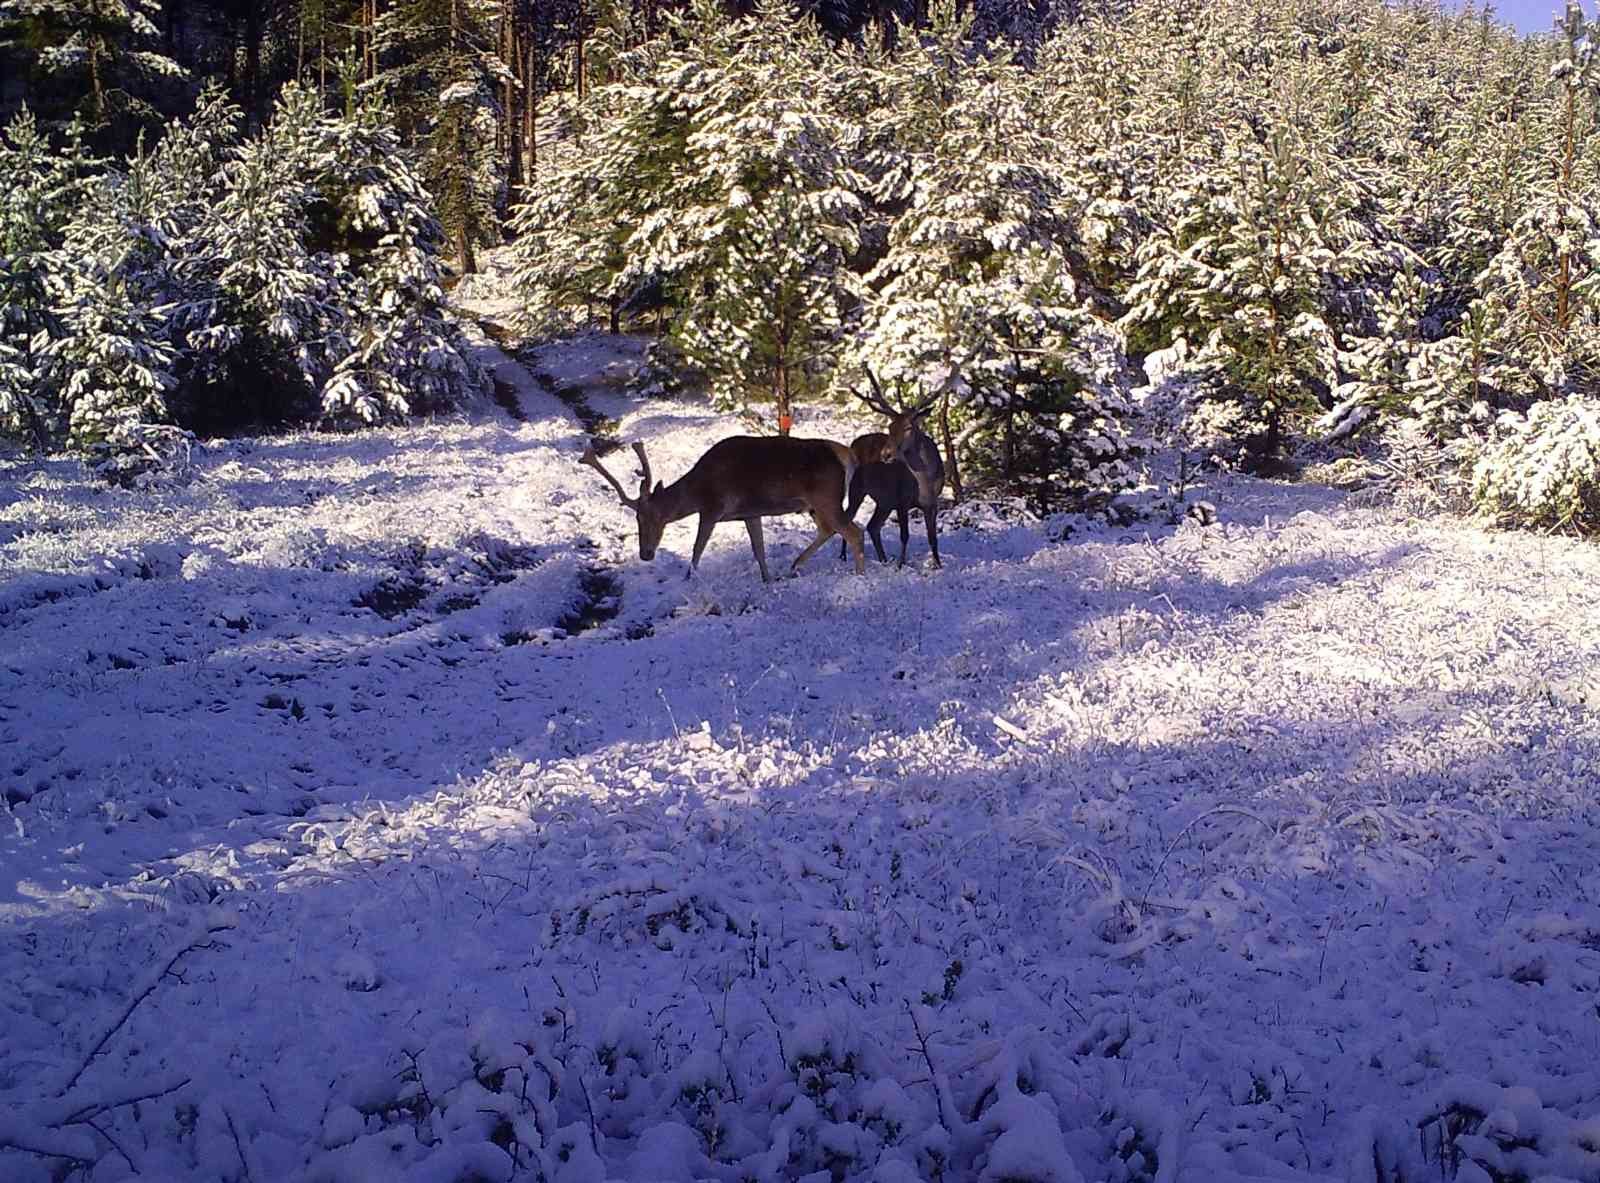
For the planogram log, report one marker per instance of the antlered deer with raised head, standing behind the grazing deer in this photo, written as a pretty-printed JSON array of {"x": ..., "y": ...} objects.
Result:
[{"x": 898, "y": 470}]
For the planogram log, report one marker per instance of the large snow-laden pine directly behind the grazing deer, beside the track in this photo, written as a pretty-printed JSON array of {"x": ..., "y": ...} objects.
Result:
[{"x": 713, "y": 177}]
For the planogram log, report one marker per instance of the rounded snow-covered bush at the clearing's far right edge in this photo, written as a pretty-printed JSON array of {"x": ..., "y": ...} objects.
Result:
[{"x": 1543, "y": 470}]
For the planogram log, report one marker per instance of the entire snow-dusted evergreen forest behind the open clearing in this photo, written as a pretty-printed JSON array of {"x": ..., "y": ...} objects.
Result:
[{"x": 1351, "y": 231}]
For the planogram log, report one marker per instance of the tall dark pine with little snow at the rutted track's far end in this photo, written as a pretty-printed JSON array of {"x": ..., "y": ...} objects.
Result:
[{"x": 441, "y": 74}]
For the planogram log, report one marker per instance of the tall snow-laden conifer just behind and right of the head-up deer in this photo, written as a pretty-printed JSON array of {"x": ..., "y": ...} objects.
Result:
[{"x": 982, "y": 292}]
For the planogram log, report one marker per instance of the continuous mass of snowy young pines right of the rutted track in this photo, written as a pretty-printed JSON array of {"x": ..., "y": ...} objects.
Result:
[{"x": 1329, "y": 219}]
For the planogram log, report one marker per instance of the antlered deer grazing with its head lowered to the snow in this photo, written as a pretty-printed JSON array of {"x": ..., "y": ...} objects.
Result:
[{"x": 748, "y": 478}]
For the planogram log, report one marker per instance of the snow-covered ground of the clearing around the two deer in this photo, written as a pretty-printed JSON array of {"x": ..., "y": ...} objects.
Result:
[{"x": 348, "y": 836}]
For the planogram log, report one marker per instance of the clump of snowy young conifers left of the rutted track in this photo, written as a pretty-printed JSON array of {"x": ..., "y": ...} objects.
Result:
[{"x": 212, "y": 283}]
